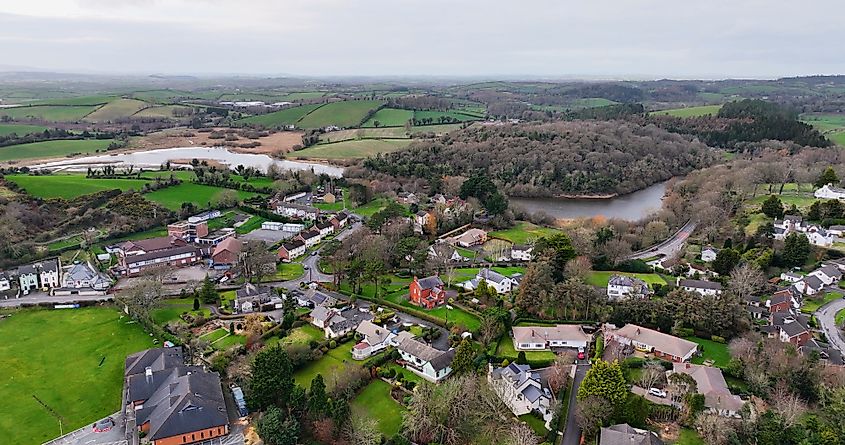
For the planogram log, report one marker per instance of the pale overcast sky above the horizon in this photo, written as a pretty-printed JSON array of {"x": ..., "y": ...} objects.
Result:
[{"x": 554, "y": 38}]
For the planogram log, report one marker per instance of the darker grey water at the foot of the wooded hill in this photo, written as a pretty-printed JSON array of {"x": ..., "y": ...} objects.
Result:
[{"x": 631, "y": 207}]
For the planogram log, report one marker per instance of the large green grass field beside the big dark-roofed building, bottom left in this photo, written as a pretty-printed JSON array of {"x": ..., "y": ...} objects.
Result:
[{"x": 56, "y": 356}]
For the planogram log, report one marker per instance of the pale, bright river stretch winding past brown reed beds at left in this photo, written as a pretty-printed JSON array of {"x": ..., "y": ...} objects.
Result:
[{"x": 155, "y": 158}]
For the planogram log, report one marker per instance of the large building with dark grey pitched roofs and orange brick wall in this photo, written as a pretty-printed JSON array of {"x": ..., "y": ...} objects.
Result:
[{"x": 174, "y": 403}]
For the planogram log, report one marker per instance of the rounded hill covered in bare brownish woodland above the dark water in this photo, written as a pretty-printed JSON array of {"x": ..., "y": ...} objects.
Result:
[{"x": 551, "y": 159}]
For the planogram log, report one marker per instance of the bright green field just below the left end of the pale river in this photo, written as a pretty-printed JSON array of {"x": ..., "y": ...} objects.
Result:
[{"x": 70, "y": 186}]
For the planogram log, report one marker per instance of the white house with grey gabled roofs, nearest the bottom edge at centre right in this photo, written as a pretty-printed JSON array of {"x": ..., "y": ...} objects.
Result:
[{"x": 522, "y": 390}]
